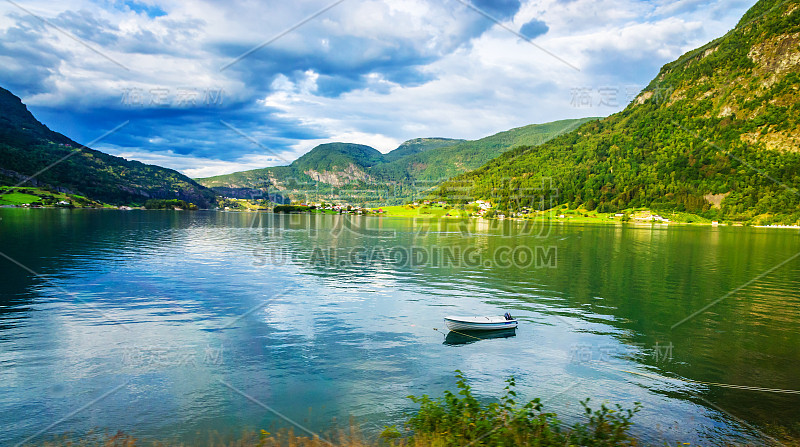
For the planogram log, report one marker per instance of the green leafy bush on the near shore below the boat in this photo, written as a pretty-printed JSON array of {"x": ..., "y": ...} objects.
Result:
[{"x": 458, "y": 420}]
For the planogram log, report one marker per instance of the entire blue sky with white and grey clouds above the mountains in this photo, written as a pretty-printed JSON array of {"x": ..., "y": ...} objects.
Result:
[{"x": 213, "y": 87}]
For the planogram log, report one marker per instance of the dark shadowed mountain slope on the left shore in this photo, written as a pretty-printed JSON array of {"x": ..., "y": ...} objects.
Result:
[{"x": 29, "y": 148}]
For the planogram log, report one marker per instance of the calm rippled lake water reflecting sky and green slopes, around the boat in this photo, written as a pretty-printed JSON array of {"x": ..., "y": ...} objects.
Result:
[{"x": 172, "y": 325}]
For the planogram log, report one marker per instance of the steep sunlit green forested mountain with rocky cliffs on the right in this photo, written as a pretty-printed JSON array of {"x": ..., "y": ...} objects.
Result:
[{"x": 715, "y": 133}]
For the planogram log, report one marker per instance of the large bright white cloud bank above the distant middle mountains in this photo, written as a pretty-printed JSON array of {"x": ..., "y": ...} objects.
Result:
[{"x": 501, "y": 81}]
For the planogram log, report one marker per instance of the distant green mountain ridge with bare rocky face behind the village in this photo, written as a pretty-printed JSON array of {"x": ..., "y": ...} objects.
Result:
[{"x": 414, "y": 166}]
